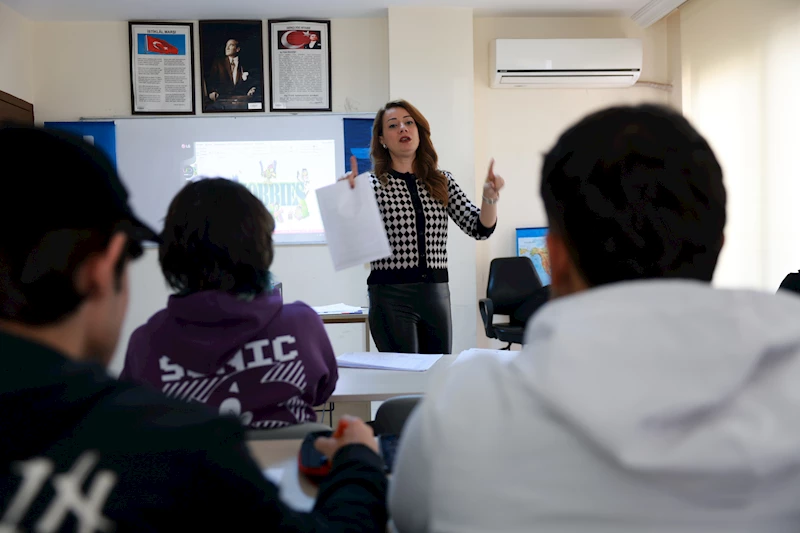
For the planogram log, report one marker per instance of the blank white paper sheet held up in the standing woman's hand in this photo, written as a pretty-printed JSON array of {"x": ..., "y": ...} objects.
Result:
[{"x": 354, "y": 228}]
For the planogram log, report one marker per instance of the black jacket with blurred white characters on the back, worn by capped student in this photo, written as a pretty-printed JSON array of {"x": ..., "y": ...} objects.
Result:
[{"x": 79, "y": 448}]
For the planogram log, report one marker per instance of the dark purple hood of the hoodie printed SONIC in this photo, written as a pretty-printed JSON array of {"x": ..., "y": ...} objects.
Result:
[{"x": 202, "y": 330}]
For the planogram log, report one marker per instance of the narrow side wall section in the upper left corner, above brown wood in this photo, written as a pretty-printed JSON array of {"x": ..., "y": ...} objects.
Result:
[{"x": 16, "y": 55}]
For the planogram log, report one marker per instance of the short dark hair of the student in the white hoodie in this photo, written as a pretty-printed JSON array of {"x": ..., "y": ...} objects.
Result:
[{"x": 636, "y": 193}]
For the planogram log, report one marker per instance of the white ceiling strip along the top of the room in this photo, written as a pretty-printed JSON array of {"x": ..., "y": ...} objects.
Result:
[{"x": 87, "y": 10}]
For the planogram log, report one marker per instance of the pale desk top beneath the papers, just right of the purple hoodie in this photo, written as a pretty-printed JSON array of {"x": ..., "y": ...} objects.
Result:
[{"x": 366, "y": 385}]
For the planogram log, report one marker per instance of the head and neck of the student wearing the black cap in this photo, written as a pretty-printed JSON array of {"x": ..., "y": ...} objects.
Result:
[{"x": 68, "y": 234}]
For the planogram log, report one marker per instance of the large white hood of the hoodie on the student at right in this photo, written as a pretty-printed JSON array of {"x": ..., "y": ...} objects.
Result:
[{"x": 695, "y": 388}]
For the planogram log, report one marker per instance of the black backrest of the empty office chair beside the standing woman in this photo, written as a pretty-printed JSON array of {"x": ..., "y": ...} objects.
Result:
[{"x": 511, "y": 281}]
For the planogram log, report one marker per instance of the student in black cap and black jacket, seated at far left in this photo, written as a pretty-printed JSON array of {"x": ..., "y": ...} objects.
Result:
[{"x": 80, "y": 451}]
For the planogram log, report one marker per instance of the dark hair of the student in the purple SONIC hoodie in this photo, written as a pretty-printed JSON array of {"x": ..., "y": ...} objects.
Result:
[{"x": 217, "y": 236}]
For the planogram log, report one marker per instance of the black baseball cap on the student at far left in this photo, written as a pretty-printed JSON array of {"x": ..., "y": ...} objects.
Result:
[{"x": 52, "y": 181}]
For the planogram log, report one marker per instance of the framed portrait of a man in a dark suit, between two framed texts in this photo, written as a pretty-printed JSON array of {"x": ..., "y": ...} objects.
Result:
[{"x": 232, "y": 66}]
